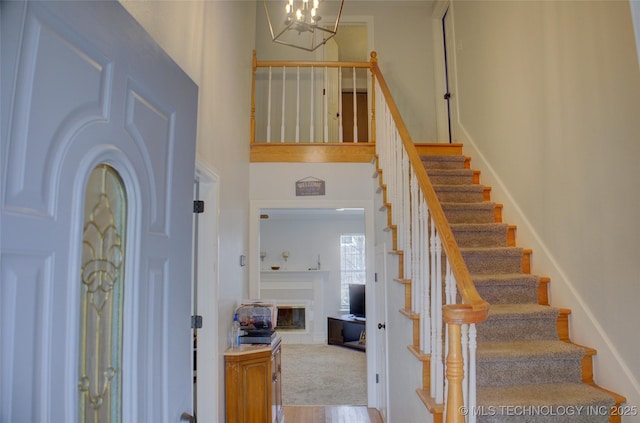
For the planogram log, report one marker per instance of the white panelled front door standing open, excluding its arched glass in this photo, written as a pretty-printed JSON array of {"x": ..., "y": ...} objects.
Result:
[{"x": 84, "y": 85}]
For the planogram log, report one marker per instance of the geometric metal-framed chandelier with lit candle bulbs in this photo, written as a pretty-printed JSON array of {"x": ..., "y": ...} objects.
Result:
[{"x": 301, "y": 22}]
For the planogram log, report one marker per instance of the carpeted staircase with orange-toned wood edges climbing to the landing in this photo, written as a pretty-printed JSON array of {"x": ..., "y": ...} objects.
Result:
[{"x": 527, "y": 369}]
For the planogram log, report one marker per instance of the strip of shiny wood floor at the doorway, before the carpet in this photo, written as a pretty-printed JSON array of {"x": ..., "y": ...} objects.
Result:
[{"x": 330, "y": 414}]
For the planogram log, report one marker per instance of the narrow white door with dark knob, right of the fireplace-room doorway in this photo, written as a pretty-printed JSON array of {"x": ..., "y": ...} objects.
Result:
[{"x": 382, "y": 365}]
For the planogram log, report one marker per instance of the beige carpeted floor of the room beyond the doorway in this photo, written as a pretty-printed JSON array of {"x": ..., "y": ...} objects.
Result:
[{"x": 319, "y": 374}]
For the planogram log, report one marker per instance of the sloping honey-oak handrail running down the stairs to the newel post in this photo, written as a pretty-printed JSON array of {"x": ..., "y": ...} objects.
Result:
[{"x": 478, "y": 308}]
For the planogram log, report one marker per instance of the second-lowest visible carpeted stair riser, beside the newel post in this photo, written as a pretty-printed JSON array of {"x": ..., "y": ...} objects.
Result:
[{"x": 527, "y": 329}]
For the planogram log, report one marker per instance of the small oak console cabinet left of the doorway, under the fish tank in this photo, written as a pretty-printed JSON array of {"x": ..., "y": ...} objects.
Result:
[{"x": 253, "y": 384}]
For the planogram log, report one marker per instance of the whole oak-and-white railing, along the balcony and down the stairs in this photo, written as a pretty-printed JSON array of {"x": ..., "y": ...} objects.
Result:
[{"x": 442, "y": 294}]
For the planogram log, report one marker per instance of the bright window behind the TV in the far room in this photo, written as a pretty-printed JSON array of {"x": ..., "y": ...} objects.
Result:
[{"x": 352, "y": 264}]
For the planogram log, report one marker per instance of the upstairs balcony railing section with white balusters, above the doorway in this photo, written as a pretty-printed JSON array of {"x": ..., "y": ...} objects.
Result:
[{"x": 312, "y": 111}]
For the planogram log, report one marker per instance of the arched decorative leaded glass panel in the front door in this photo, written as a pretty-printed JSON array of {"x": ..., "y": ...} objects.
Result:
[{"x": 100, "y": 384}]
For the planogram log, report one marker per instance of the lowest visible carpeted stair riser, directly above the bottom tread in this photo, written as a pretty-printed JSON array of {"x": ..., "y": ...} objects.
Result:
[{"x": 528, "y": 372}]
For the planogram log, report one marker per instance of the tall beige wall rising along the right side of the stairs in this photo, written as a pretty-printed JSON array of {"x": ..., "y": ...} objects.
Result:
[{"x": 549, "y": 107}]
